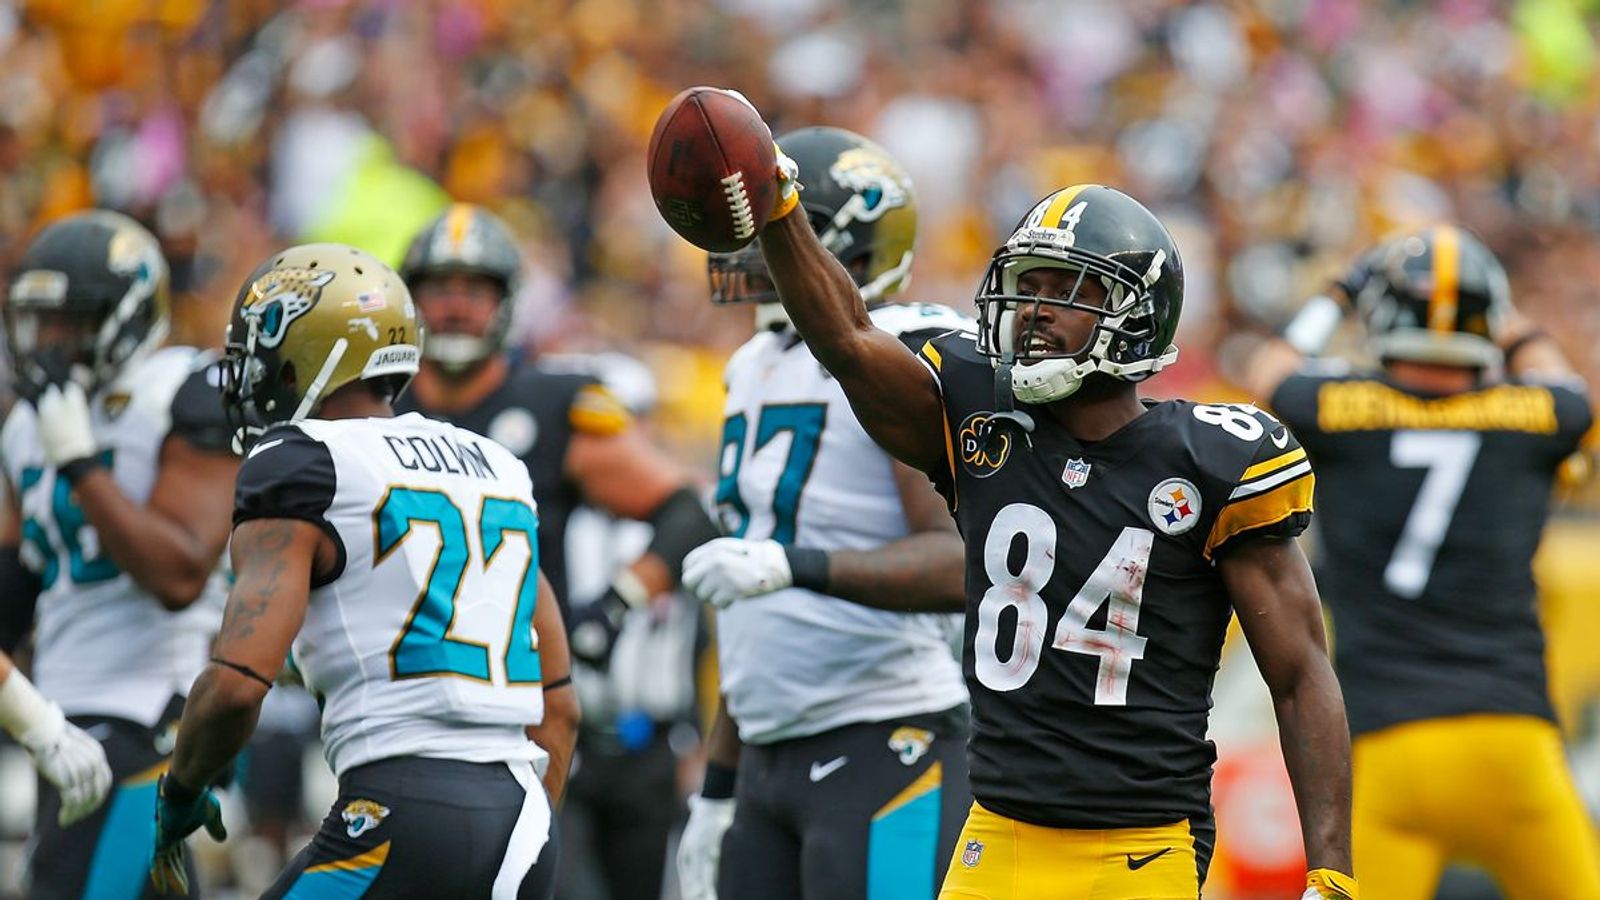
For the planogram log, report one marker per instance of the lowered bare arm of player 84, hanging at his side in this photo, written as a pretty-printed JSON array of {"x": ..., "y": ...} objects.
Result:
[{"x": 1281, "y": 614}]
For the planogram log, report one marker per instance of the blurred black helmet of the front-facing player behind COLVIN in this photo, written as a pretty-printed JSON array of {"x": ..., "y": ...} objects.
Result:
[{"x": 473, "y": 241}]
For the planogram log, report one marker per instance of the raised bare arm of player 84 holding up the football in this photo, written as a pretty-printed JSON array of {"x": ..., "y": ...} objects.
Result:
[{"x": 894, "y": 396}]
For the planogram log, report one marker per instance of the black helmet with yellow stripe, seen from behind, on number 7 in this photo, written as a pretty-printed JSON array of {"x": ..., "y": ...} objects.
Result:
[{"x": 1434, "y": 295}]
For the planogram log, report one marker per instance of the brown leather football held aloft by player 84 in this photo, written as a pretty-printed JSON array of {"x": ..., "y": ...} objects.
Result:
[{"x": 713, "y": 169}]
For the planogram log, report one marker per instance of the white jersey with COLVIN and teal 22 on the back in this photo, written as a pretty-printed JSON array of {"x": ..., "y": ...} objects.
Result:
[{"x": 422, "y": 641}]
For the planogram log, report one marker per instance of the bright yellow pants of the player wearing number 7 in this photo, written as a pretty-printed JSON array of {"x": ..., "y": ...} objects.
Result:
[{"x": 1487, "y": 789}]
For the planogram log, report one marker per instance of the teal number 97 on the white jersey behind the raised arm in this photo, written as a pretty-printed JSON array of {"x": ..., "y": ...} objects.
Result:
[{"x": 804, "y": 422}]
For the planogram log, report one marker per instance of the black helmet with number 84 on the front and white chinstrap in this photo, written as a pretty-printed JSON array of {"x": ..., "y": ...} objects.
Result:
[{"x": 1097, "y": 233}]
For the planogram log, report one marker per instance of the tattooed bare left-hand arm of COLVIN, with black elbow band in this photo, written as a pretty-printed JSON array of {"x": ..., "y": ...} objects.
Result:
[{"x": 274, "y": 561}]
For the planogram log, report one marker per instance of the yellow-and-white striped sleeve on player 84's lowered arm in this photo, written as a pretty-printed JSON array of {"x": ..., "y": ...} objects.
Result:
[{"x": 1271, "y": 497}]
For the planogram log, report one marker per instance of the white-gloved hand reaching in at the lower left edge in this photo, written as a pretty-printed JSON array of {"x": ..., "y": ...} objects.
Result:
[{"x": 63, "y": 753}]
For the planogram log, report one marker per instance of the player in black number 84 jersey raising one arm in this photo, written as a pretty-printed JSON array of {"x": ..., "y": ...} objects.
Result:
[{"x": 1108, "y": 545}]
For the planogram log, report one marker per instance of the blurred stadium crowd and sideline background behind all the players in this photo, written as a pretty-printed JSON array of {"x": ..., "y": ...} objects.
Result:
[{"x": 1278, "y": 139}]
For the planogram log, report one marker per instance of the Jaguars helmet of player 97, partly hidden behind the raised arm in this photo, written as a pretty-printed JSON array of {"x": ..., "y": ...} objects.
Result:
[{"x": 862, "y": 206}]
